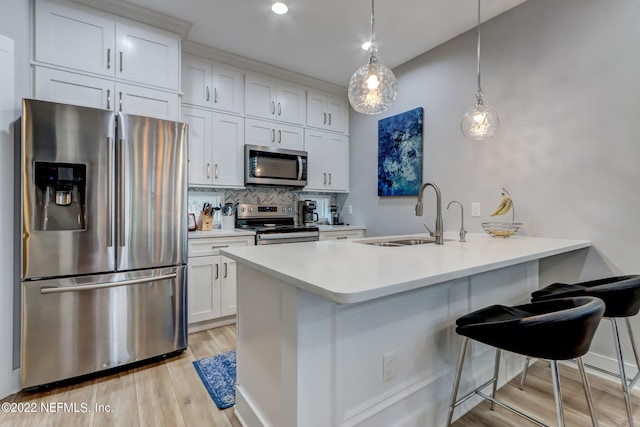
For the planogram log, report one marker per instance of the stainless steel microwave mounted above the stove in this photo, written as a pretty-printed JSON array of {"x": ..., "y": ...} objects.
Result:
[{"x": 274, "y": 166}]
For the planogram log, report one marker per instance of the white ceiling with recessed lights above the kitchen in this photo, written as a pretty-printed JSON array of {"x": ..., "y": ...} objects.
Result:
[{"x": 323, "y": 38}]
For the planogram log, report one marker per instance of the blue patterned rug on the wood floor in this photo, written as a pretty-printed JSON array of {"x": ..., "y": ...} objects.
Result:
[{"x": 218, "y": 373}]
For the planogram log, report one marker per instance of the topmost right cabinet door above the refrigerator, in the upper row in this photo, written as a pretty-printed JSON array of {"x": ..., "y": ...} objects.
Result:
[{"x": 148, "y": 56}]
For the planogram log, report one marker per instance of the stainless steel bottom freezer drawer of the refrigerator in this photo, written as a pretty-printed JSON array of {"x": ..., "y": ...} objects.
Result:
[{"x": 76, "y": 326}]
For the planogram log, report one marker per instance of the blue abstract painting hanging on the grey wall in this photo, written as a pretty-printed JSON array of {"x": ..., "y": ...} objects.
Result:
[{"x": 400, "y": 154}]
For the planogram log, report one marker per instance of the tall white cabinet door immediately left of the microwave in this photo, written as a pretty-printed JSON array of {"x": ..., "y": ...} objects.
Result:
[{"x": 228, "y": 150}]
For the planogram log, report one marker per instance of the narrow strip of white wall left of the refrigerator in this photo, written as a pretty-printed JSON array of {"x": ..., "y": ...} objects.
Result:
[{"x": 15, "y": 25}]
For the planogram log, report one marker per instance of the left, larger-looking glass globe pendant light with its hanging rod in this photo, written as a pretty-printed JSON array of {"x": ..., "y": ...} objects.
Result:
[{"x": 373, "y": 88}]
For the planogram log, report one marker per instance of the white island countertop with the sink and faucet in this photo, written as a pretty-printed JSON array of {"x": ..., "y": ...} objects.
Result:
[{"x": 347, "y": 272}]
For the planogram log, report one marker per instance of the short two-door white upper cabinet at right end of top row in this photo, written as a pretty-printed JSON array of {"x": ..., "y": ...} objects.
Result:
[{"x": 327, "y": 112}]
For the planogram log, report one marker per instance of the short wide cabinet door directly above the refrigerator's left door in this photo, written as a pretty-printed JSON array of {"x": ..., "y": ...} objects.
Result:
[{"x": 71, "y": 88}]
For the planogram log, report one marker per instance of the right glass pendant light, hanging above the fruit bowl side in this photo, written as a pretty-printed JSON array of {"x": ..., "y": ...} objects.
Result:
[{"x": 480, "y": 122}]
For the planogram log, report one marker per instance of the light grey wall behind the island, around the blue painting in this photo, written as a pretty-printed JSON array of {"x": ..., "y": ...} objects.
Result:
[{"x": 563, "y": 76}]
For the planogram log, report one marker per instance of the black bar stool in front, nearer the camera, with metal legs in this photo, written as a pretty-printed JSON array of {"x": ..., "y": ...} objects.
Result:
[{"x": 559, "y": 329}]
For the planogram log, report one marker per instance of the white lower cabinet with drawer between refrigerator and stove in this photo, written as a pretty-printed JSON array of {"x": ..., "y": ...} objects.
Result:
[{"x": 212, "y": 278}]
